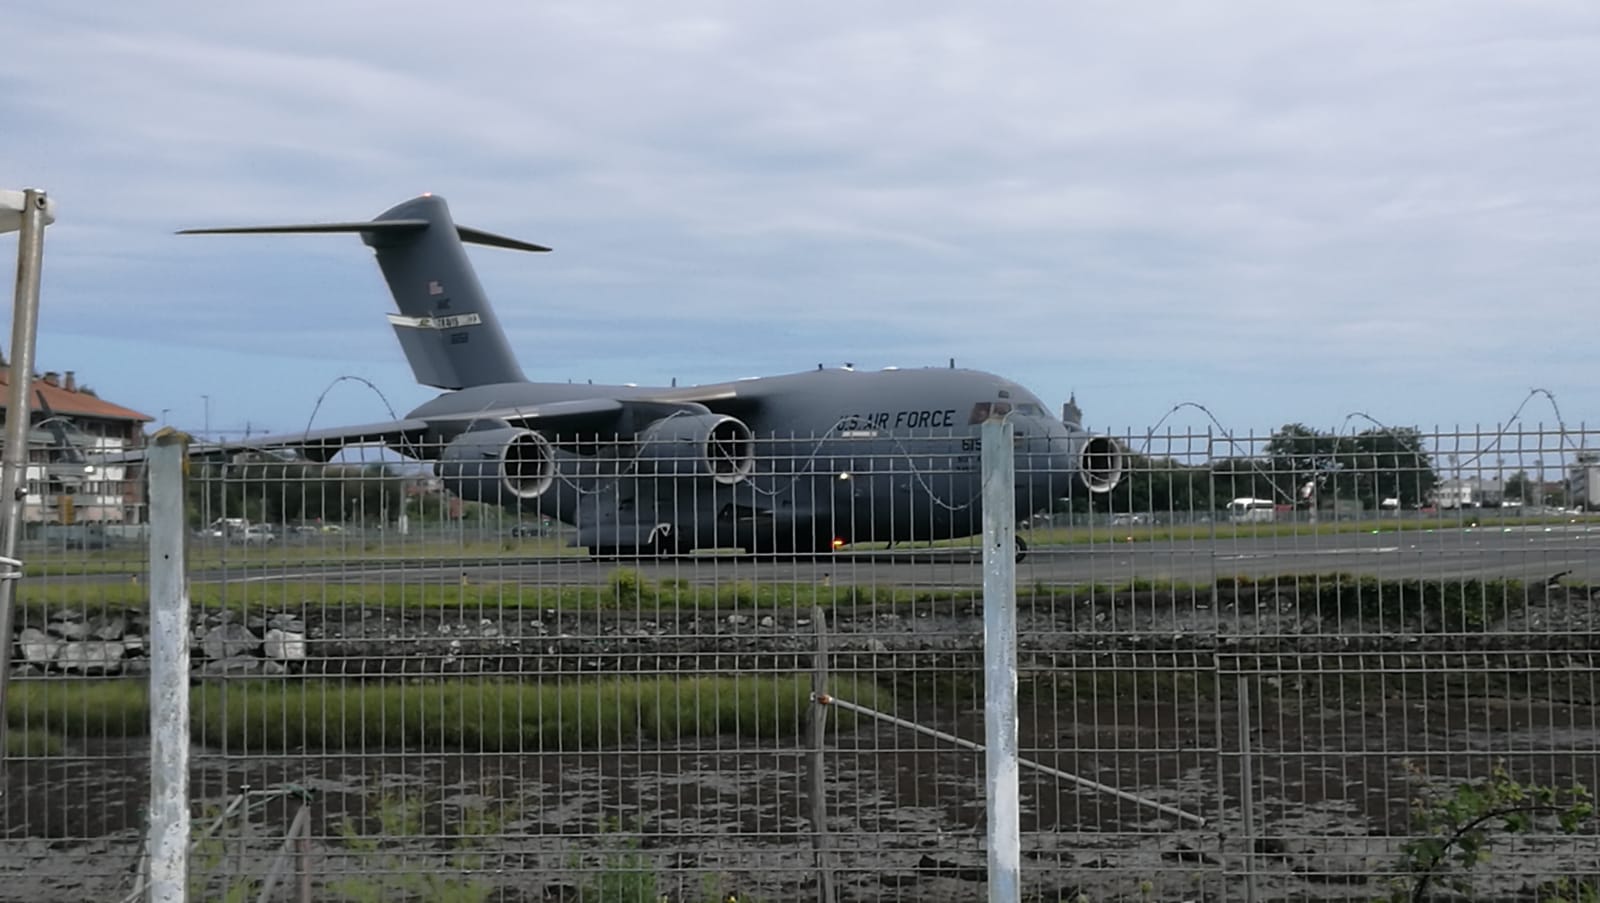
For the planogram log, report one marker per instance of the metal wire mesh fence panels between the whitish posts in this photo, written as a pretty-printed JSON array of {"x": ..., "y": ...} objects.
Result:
[{"x": 1290, "y": 667}]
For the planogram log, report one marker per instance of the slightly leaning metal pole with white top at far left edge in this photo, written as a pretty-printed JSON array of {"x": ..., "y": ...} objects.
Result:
[{"x": 28, "y": 214}]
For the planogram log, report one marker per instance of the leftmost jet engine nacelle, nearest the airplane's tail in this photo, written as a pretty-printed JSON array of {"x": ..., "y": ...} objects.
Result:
[{"x": 498, "y": 465}]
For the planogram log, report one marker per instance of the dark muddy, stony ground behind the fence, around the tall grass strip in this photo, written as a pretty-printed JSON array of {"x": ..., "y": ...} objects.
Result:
[{"x": 1345, "y": 721}]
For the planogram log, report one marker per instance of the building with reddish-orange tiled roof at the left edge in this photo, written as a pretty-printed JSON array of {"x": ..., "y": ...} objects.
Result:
[{"x": 65, "y": 492}]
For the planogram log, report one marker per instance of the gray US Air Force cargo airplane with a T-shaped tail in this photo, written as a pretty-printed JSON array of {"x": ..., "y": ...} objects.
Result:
[{"x": 796, "y": 464}]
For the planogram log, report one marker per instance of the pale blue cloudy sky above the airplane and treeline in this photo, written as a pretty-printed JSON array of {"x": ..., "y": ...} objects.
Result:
[{"x": 1286, "y": 212}]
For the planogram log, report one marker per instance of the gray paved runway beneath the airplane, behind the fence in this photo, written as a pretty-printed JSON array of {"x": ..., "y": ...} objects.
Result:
[{"x": 1527, "y": 553}]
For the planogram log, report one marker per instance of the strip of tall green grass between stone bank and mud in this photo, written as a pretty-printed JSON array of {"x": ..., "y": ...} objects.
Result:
[{"x": 479, "y": 715}]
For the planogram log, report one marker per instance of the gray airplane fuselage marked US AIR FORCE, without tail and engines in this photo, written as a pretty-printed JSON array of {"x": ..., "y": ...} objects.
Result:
[{"x": 842, "y": 457}]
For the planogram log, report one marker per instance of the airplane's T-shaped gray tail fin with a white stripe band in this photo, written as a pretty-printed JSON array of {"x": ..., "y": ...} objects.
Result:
[{"x": 446, "y": 324}]
